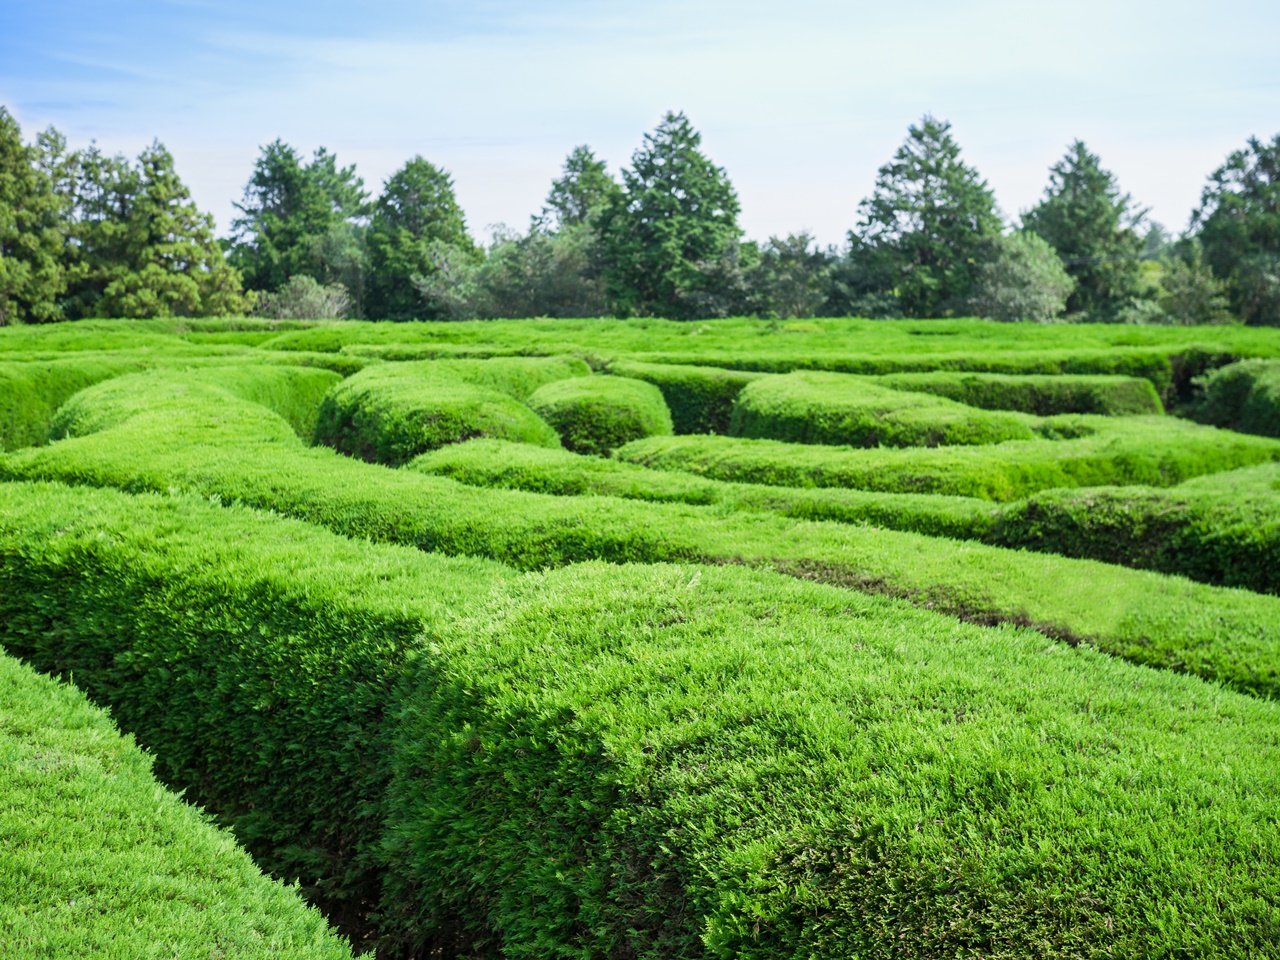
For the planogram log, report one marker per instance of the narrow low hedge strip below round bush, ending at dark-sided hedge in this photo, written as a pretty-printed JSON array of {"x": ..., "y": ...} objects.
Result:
[{"x": 516, "y": 467}]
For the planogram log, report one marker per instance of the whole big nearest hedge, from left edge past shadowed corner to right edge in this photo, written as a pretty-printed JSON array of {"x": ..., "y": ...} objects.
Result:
[{"x": 669, "y": 762}]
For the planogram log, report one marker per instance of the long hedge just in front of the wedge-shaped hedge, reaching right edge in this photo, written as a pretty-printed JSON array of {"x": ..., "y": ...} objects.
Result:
[{"x": 1154, "y": 451}]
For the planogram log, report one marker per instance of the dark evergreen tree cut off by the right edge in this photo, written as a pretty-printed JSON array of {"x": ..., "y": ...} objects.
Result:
[{"x": 1238, "y": 226}]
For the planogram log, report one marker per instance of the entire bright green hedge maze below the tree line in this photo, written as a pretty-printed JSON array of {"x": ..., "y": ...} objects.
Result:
[{"x": 632, "y": 639}]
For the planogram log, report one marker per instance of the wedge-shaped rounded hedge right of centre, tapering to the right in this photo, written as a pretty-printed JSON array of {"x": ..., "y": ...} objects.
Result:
[{"x": 834, "y": 409}]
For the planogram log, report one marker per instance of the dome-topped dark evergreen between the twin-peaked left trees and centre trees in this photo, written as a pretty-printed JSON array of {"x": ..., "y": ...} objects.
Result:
[{"x": 417, "y": 236}]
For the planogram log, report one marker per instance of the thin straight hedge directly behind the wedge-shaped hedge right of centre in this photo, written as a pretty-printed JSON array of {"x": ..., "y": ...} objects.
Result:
[{"x": 1037, "y": 394}]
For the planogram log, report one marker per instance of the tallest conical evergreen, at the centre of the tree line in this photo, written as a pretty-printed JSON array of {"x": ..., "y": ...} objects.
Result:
[{"x": 671, "y": 237}]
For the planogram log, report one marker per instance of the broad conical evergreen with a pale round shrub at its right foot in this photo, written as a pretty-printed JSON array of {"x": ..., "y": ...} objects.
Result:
[{"x": 926, "y": 230}]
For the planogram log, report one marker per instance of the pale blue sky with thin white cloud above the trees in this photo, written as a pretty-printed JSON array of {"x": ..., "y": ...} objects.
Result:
[{"x": 799, "y": 102}]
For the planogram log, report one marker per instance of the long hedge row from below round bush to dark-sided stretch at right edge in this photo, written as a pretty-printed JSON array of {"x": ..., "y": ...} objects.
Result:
[{"x": 1219, "y": 529}]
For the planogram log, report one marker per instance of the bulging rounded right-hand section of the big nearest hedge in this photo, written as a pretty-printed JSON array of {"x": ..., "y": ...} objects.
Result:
[{"x": 673, "y": 762}]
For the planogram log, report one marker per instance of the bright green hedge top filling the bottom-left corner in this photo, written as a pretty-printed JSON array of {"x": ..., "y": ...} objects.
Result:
[{"x": 99, "y": 861}]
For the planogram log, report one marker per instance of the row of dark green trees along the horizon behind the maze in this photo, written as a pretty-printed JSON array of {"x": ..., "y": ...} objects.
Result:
[{"x": 88, "y": 235}]
